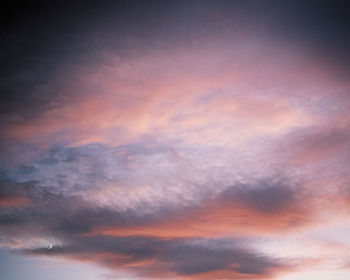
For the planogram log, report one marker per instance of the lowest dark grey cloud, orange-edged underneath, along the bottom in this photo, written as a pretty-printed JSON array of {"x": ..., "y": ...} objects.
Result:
[{"x": 180, "y": 257}]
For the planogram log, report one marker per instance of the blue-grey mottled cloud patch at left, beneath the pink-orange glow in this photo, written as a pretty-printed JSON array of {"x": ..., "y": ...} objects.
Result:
[{"x": 69, "y": 168}]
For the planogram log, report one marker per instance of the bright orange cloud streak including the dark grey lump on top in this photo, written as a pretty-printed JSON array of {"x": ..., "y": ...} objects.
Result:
[{"x": 277, "y": 209}]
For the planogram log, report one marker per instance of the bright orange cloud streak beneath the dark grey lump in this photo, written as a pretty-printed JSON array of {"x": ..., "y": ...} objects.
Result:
[{"x": 219, "y": 217}]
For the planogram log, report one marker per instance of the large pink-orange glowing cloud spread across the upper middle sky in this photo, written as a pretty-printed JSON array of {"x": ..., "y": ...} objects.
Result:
[{"x": 173, "y": 94}]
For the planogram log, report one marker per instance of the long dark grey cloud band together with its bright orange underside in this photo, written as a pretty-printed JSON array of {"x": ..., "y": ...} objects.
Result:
[{"x": 266, "y": 207}]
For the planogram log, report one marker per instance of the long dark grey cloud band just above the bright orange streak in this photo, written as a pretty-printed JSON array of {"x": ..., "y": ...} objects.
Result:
[{"x": 65, "y": 214}]
